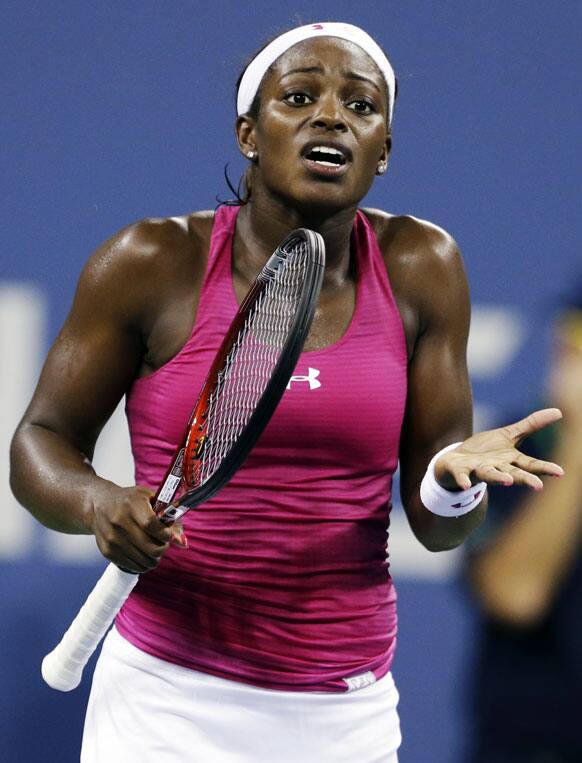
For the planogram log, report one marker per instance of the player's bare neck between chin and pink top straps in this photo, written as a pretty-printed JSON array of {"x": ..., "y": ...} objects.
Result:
[{"x": 262, "y": 225}]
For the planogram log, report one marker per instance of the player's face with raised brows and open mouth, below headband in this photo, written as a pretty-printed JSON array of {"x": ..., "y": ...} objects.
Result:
[{"x": 322, "y": 126}]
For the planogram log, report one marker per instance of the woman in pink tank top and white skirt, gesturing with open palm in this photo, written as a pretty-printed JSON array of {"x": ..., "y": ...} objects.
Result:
[{"x": 267, "y": 629}]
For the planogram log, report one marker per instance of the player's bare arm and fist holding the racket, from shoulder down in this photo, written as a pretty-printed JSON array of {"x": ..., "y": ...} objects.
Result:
[{"x": 91, "y": 365}]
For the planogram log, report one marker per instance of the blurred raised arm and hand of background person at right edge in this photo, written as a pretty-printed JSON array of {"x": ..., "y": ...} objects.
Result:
[{"x": 518, "y": 575}]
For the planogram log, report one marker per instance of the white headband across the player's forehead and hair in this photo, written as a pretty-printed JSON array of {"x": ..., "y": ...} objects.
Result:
[{"x": 257, "y": 68}]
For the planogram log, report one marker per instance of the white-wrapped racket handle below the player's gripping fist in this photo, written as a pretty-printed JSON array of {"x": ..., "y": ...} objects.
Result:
[{"x": 62, "y": 668}]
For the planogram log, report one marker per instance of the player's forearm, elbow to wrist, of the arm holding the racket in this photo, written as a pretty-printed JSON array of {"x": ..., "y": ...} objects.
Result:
[{"x": 54, "y": 480}]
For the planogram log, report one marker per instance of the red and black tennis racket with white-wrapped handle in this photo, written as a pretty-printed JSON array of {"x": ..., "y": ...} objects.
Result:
[{"x": 244, "y": 385}]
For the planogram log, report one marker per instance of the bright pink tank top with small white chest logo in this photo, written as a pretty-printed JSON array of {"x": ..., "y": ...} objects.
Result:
[{"x": 285, "y": 583}]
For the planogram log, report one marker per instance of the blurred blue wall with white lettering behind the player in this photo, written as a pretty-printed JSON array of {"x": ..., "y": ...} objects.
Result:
[{"x": 115, "y": 111}]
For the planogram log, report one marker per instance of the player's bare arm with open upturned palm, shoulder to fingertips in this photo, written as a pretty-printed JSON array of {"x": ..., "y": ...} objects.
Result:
[{"x": 427, "y": 273}]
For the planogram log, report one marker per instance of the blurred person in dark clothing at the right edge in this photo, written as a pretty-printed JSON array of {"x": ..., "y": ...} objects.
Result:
[{"x": 525, "y": 569}]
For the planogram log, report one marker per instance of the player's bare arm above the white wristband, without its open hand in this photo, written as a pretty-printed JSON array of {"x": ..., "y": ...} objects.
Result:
[{"x": 439, "y": 402}]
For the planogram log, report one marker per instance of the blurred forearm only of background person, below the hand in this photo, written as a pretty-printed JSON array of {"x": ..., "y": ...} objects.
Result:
[{"x": 517, "y": 576}]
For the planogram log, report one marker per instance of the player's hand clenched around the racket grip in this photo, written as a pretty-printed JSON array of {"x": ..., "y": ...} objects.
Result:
[{"x": 127, "y": 531}]
